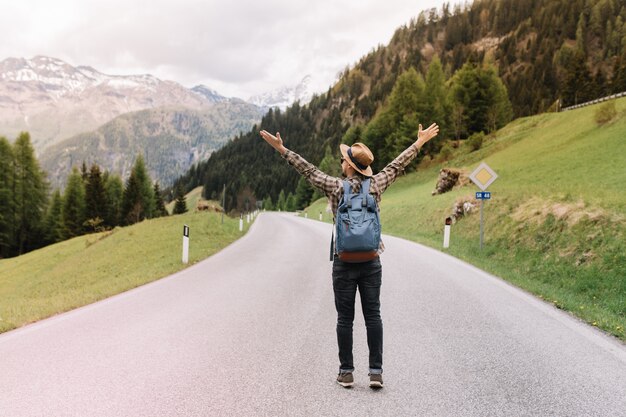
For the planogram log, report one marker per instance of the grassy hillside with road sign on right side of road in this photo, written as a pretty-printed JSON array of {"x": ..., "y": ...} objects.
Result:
[{"x": 556, "y": 223}]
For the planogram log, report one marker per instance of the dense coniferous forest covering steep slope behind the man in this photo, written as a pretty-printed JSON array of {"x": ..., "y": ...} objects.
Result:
[{"x": 469, "y": 68}]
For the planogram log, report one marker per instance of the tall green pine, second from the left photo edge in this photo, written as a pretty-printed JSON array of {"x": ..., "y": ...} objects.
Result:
[{"x": 30, "y": 195}]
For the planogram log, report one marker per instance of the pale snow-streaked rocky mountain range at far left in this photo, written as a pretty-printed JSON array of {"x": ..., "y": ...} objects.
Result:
[{"x": 54, "y": 100}]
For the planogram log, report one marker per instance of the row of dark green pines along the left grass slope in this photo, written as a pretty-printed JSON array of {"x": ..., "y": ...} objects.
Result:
[{"x": 31, "y": 217}]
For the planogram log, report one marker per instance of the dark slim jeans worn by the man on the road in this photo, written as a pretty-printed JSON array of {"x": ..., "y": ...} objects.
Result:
[{"x": 367, "y": 276}]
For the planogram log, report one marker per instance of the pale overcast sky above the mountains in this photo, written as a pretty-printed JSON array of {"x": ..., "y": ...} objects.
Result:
[{"x": 237, "y": 47}]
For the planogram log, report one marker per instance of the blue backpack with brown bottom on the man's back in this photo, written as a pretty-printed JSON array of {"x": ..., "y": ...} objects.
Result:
[{"x": 358, "y": 225}]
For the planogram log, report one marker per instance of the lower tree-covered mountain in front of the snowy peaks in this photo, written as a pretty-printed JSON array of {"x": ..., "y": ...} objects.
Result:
[{"x": 171, "y": 139}]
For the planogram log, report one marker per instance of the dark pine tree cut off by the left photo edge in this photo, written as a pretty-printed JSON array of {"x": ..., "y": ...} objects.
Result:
[{"x": 7, "y": 210}]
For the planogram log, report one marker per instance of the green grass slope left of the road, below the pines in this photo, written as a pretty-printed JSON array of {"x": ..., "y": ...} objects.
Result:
[{"x": 89, "y": 268}]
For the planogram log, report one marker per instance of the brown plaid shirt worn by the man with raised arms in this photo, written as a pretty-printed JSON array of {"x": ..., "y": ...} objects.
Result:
[{"x": 332, "y": 187}]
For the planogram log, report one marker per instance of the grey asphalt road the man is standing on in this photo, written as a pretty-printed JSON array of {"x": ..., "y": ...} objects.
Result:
[{"x": 251, "y": 332}]
